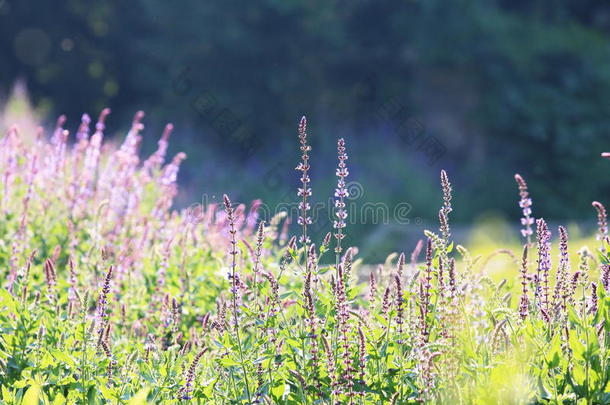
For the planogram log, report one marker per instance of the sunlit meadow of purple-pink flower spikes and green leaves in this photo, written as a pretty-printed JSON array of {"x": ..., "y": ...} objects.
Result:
[{"x": 110, "y": 295}]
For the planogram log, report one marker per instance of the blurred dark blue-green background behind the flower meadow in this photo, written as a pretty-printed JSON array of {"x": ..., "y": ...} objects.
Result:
[{"x": 481, "y": 88}]
